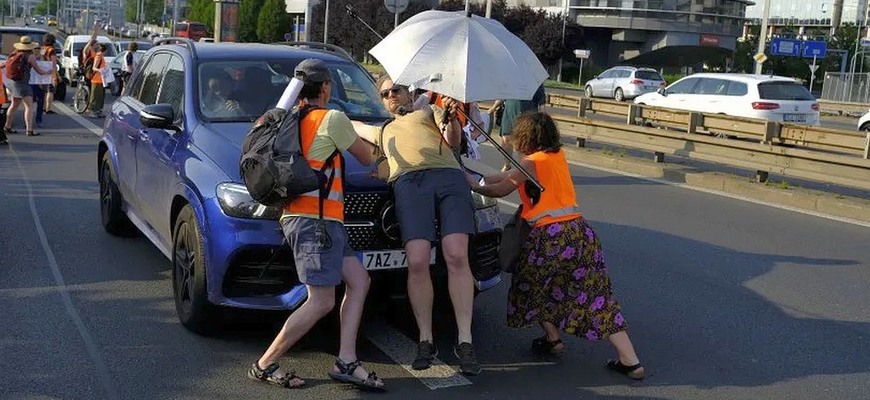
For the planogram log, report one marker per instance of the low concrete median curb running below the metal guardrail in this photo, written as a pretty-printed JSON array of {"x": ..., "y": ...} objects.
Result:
[{"x": 811, "y": 201}]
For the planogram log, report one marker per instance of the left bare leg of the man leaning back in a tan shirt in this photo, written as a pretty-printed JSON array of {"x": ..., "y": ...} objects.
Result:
[{"x": 420, "y": 291}]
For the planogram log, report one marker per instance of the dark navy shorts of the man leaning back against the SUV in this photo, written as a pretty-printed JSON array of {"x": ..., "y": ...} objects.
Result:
[{"x": 424, "y": 197}]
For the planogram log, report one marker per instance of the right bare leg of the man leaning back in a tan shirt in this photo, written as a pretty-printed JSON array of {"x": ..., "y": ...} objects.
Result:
[{"x": 460, "y": 282}]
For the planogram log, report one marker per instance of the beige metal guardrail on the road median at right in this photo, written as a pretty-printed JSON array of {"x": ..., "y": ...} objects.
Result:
[{"x": 820, "y": 154}]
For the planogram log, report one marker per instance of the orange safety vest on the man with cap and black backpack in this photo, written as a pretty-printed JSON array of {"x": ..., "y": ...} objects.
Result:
[{"x": 309, "y": 203}]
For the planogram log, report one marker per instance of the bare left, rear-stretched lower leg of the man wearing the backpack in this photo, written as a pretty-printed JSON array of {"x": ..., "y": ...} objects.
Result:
[{"x": 321, "y": 300}]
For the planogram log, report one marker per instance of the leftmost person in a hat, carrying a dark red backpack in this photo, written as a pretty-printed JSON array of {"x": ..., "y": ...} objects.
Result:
[{"x": 17, "y": 68}]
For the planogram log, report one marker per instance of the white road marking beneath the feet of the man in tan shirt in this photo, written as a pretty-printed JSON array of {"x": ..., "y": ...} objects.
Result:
[{"x": 402, "y": 350}]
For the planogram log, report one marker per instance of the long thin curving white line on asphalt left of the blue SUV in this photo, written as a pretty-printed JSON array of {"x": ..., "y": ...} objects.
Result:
[{"x": 63, "y": 290}]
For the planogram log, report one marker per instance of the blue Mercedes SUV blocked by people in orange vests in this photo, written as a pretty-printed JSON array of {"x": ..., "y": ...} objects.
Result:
[{"x": 168, "y": 167}]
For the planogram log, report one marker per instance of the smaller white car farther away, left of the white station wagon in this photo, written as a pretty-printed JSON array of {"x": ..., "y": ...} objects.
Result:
[{"x": 624, "y": 83}]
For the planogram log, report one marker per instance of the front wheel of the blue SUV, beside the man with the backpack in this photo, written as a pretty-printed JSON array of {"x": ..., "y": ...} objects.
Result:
[{"x": 188, "y": 275}]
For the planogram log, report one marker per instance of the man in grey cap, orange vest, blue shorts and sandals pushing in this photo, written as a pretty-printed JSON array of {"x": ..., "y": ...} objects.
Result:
[{"x": 313, "y": 226}]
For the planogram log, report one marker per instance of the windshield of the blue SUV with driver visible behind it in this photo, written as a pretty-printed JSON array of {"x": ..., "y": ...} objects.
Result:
[{"x": 256, "y": 87}]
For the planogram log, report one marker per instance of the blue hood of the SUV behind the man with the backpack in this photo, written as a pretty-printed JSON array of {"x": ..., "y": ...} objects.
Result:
[{"x": 222, "y": 143}]
